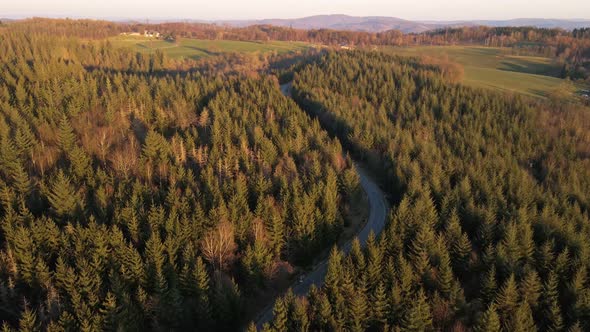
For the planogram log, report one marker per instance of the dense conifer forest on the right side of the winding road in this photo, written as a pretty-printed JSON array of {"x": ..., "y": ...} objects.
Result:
[{"x": 493, "y": 197}]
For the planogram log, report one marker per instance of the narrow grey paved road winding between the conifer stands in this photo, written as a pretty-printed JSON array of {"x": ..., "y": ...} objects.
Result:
[{"x": 376, "y": 223}]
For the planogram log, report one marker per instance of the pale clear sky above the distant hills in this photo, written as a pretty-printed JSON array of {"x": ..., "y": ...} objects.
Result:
[{"x": 258, "y": 9}]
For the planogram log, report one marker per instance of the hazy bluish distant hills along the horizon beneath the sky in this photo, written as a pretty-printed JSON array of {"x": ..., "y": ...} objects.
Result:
[{"x": 384, "y": 23}]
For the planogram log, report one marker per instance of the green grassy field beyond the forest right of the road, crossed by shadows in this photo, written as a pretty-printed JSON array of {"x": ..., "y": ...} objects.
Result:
[{"x": 496, "y": 68}]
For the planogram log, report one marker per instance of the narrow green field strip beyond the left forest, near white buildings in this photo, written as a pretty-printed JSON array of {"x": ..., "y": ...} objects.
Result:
[{"x": 195, "y": 49}]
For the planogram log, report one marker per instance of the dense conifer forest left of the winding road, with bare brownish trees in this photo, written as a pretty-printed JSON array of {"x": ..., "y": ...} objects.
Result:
[{"x": 135, "y": 196}]
